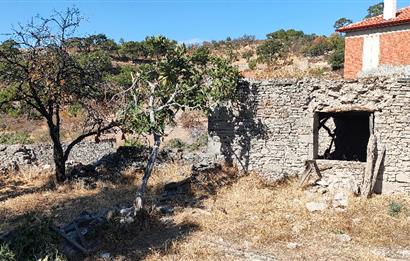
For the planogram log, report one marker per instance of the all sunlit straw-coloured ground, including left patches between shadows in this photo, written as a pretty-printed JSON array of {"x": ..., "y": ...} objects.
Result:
[{"x": 233, "y": 217}]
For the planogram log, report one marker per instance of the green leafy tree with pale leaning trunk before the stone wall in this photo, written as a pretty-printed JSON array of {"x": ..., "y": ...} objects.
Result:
[{"x": 176, "y": 80}]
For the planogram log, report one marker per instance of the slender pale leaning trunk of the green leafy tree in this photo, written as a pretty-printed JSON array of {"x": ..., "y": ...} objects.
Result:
[{"x": 147, "y": 172}]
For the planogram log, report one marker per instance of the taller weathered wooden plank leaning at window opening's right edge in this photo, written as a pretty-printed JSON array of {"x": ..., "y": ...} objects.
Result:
[{"x": 370, "y": 163}]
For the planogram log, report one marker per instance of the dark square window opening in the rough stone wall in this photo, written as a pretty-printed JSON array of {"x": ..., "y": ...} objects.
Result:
[{"x": 342, "y": 135}]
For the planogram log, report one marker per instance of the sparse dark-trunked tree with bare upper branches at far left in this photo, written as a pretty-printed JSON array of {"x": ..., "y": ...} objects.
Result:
[{"x": 37, "y": 69}]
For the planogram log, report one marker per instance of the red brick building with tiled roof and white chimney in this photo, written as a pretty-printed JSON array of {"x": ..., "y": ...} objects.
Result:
[{"x": 379, "y": 45}]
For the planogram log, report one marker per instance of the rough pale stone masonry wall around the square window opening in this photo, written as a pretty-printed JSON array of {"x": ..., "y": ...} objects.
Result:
[{"x": 277, "y": 127}]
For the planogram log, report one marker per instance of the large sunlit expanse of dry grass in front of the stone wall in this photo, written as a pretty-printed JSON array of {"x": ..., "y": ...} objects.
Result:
[{"x": 249, "y": 218}]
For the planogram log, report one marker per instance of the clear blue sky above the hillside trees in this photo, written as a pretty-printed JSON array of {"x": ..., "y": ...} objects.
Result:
[{"x": 193, "y": 20}]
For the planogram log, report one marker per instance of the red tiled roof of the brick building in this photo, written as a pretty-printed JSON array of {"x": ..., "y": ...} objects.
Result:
[{"x": 403, "y": 17}]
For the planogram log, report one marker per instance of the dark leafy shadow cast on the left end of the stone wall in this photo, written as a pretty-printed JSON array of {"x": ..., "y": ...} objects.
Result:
[{"x": 237, "y": 125}]
